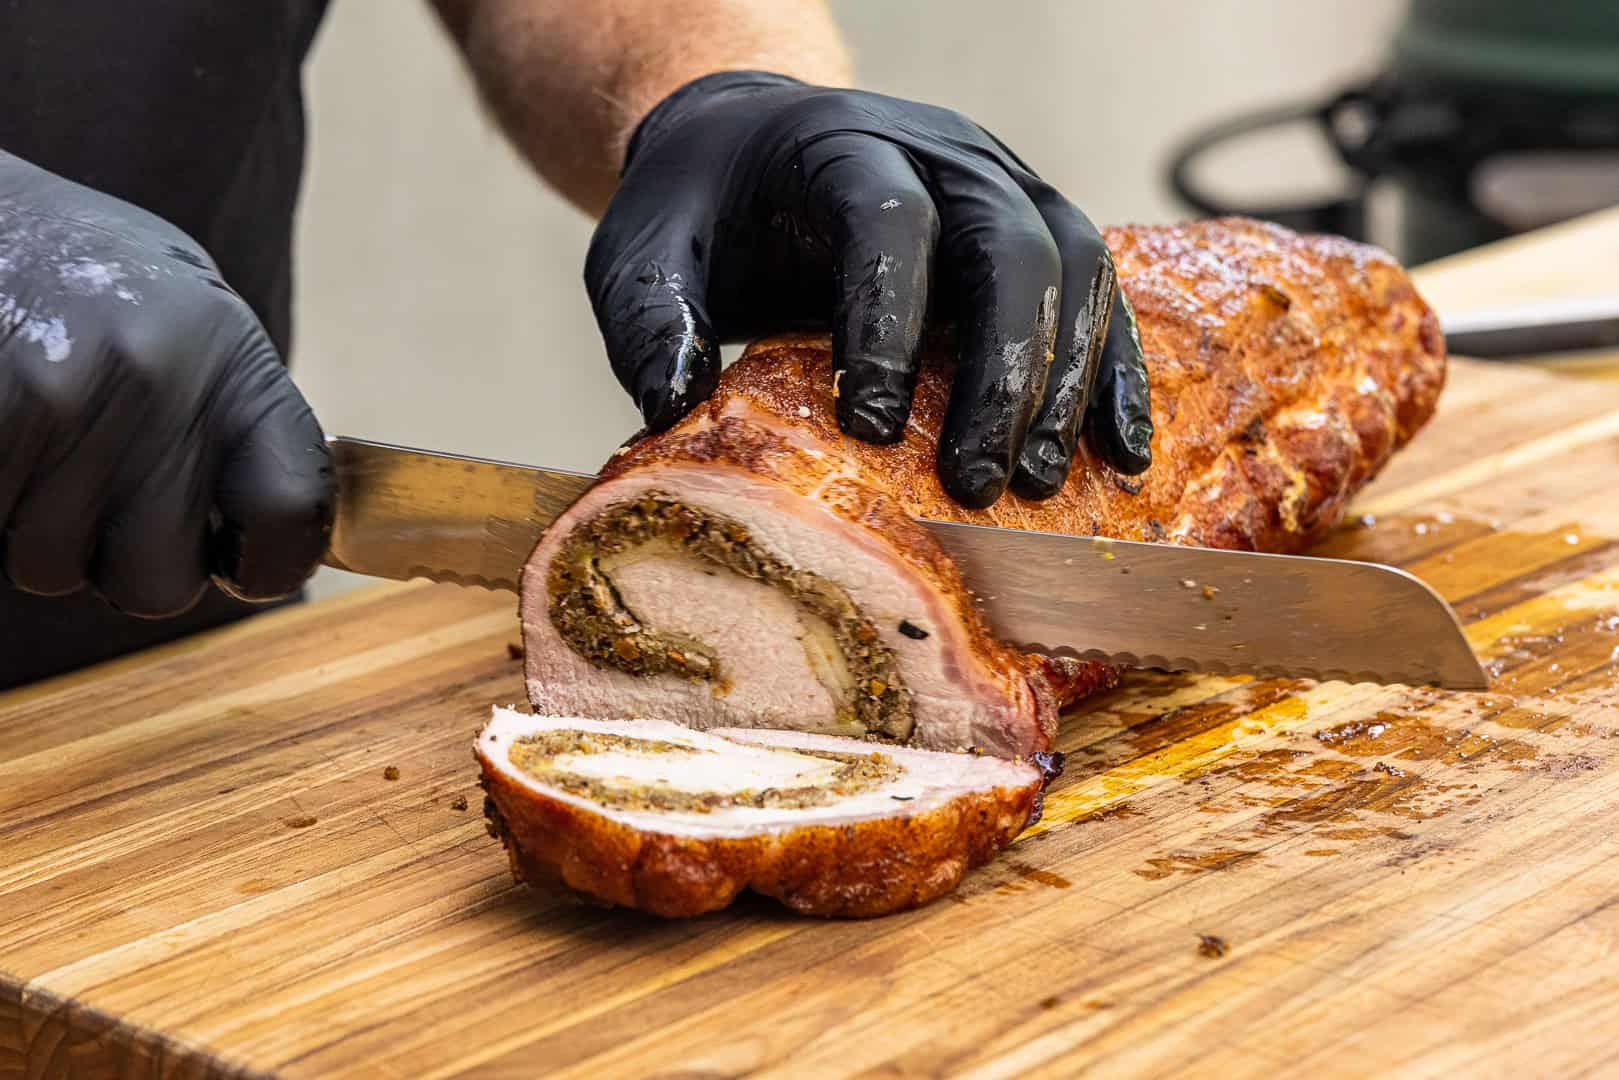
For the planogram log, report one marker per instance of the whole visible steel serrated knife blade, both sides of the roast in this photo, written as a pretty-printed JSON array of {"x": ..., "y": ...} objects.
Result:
[{"x": 415, "y": 514}]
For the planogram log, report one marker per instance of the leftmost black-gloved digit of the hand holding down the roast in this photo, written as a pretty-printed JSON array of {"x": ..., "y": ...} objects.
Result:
[{"x": 648, "y": 284}]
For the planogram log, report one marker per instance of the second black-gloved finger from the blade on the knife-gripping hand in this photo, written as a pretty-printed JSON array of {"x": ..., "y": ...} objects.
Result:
[{"x": 155, "y": 548}]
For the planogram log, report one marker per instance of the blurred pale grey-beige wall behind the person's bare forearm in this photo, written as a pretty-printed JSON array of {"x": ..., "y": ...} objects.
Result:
[{"x": 440, "y": 297}]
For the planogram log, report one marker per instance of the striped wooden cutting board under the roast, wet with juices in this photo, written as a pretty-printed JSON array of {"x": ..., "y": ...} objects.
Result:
[{"x": 208, "y": 870}]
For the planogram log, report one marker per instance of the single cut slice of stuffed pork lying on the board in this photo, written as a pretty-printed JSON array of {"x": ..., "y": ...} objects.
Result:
[{"x": 658, "y": 817}]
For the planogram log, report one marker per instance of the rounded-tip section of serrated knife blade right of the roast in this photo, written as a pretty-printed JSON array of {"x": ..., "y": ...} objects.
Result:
[{"x": 1202, "y": 610}]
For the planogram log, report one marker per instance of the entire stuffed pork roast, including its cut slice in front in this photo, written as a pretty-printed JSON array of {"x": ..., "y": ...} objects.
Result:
[{"x": 754, "y": 569}]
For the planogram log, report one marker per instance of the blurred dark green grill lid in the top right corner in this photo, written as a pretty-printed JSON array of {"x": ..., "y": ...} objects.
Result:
[{"x": 1552, "y": 46}]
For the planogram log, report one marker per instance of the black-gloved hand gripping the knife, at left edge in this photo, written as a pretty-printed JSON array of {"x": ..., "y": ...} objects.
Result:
[{"x": 150, "y": 436}]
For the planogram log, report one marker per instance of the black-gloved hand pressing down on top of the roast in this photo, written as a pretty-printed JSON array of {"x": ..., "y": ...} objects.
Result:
[{"x": 752, "y": 203}]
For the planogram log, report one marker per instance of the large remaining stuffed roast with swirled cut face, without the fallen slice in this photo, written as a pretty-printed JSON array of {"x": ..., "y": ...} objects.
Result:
[{"x": 752, "y": 568}]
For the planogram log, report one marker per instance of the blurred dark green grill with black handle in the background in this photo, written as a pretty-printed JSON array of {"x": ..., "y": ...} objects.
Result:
[{"x": 1492, "y": 117}]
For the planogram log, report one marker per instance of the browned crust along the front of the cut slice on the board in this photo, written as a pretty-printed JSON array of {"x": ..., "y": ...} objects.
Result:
[{"x": 849, "y": 870}]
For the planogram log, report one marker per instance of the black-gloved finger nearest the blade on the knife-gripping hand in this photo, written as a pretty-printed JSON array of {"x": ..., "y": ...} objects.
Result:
[{"x": 276, "y": 493}]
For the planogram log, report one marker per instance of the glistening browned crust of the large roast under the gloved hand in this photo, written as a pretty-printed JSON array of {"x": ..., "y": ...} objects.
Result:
[{"x": 1285, "y": 368}]
